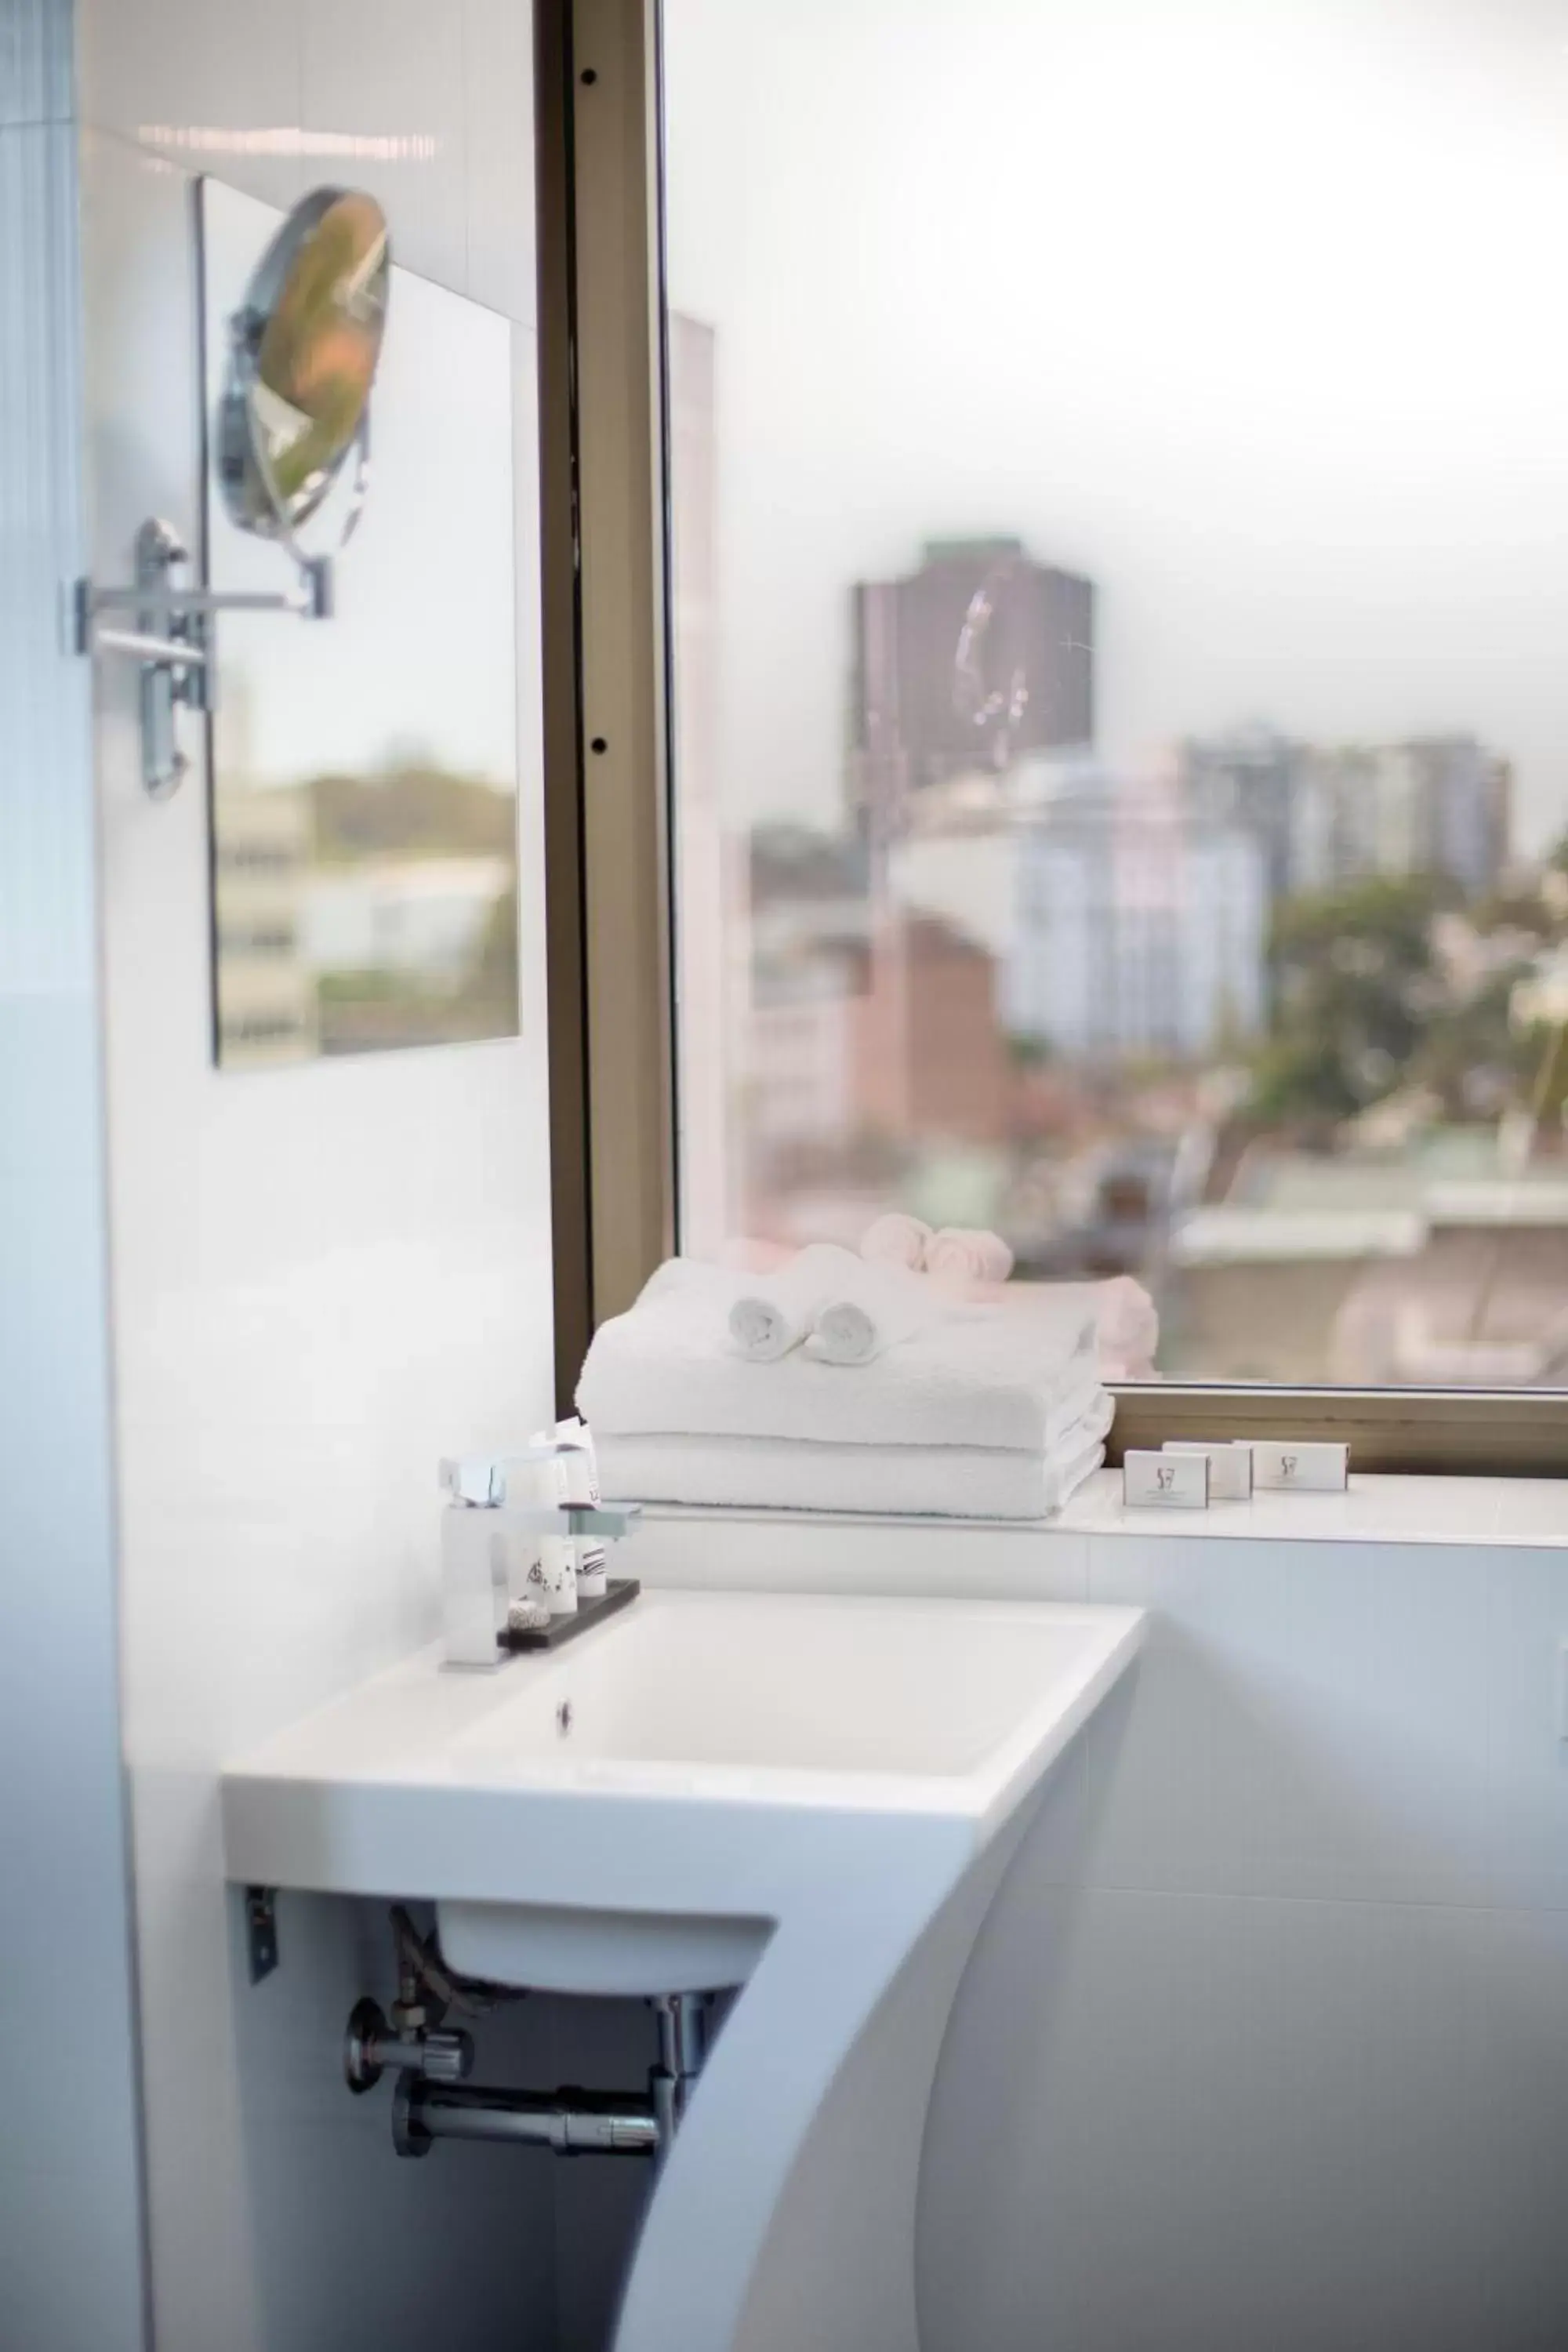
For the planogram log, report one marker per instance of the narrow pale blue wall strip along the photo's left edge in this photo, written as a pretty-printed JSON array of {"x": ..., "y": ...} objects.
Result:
[{"x": 69, "y": 2158}]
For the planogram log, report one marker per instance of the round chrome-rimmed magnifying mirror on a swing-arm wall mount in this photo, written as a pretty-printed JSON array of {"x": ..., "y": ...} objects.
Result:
[{"x": 302, "y": 366}]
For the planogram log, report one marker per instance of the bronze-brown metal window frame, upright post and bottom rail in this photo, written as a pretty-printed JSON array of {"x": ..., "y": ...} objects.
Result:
[{"x": 610, "y": 815}]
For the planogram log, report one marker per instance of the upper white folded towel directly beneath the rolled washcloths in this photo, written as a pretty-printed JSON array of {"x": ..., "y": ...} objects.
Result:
[{"x": 996, "y": 1379}]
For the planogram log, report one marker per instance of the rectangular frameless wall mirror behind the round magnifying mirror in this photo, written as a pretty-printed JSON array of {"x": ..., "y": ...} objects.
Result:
[{"x": 366, "y": 775}]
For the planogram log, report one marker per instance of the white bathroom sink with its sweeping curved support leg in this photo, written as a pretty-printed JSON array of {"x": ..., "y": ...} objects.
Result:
[{"x": 810, "y": 1798}]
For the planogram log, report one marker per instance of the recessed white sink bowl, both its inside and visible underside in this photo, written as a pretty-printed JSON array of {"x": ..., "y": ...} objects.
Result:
[{"x": 782, "y": 1702}]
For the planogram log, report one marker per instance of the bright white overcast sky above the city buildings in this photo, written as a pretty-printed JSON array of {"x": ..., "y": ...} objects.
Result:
[{"x": 1249, "y": 309}]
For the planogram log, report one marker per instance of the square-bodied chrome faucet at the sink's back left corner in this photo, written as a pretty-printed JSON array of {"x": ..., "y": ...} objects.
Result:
[{"x": 481, "y": 1549}]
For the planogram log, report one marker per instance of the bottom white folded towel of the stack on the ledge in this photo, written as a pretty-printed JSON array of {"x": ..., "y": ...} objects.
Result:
[{"x": 770, "y": 1474}]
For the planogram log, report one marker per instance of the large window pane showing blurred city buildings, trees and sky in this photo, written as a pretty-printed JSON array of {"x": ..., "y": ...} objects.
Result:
[{"x": 1120, "y": 592}]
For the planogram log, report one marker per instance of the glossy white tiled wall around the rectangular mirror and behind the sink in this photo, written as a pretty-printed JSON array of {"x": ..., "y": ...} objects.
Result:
[{"x": 321, "y": 1276}]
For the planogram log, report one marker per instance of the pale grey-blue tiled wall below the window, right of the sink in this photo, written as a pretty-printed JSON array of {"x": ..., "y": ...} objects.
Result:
[{"x": 1266, "y": 2045}]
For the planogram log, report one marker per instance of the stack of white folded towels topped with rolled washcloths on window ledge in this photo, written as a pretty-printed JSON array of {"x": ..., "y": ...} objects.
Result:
[{"x": 843, "y": 1384}]
